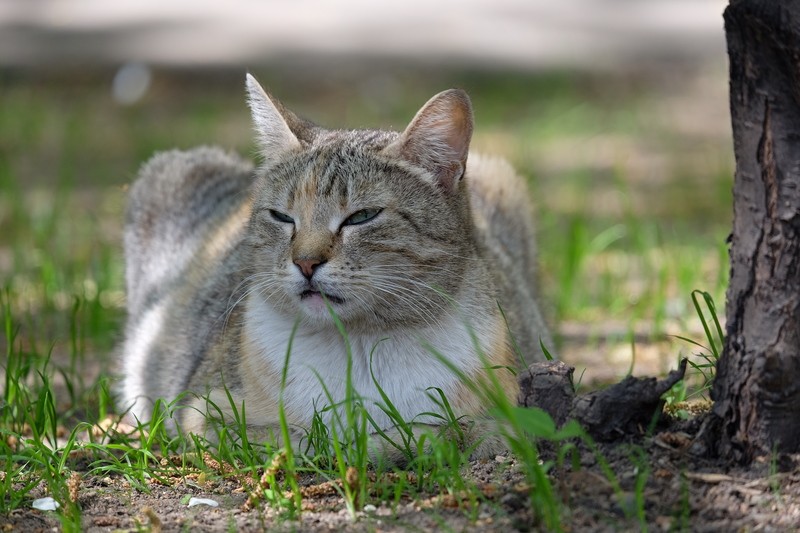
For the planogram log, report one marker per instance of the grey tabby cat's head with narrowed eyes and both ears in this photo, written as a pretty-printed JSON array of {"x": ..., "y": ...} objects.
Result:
[{"x": 377, "y": 221}]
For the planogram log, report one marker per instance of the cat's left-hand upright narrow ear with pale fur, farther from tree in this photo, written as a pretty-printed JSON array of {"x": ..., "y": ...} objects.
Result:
[{"x": 275, "y": 136}]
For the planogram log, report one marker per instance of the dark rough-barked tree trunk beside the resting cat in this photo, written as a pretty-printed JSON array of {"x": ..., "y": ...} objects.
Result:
[{"x": 757, "y": 387}]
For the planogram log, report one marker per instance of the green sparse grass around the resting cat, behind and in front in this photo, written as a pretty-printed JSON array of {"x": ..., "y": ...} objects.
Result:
[{"x": 621, "y": 243}]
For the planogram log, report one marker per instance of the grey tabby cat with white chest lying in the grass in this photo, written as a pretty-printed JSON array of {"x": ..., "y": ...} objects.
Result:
[{"x": 417, "y": 248}]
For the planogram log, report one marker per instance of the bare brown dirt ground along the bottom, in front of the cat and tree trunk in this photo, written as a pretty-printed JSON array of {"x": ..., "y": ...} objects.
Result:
[{"x": 682, "y": 492}]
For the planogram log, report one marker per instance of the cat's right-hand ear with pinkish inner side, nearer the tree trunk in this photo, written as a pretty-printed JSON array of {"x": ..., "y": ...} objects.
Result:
[{"x": 438, "y": 137}]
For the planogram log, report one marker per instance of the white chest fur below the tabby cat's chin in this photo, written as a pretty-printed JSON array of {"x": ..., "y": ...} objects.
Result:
[{"x": 403, "y": 363}]
